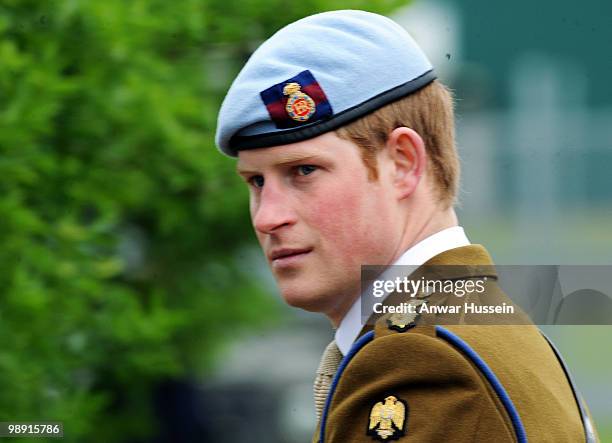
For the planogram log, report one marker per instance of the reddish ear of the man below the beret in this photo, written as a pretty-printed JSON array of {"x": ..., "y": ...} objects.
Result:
[{"x": 407, "y": 151}]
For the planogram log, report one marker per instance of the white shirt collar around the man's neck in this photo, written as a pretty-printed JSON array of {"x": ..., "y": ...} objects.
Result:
[{"x": 435, "y": 244}]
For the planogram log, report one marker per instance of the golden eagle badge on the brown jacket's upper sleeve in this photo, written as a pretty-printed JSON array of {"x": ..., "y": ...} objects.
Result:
[{"x": 388, "y": 419}]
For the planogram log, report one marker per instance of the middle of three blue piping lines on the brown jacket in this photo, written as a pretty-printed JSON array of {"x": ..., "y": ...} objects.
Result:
[{"x": 499, "y": 389}]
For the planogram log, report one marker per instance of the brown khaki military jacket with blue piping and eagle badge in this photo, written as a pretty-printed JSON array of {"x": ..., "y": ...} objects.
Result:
[{"x": 454, "y": 383}]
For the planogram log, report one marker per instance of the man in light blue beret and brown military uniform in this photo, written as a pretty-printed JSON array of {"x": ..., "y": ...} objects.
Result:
[{"x": 346, "y": 142}]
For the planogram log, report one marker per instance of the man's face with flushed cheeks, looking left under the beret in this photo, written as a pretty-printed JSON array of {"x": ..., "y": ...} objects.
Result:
[{"x": 318, "y": 218}]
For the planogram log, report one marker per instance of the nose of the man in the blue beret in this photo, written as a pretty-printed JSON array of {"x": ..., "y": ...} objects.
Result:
[{"x": 273, "y": 211}]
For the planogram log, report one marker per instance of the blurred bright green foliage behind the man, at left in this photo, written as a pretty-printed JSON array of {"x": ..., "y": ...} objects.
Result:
[{"x": 122, "y": 230}]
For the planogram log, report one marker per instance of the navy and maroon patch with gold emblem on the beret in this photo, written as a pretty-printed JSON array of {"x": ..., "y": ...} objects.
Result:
[{"x": 296, "y": 101}]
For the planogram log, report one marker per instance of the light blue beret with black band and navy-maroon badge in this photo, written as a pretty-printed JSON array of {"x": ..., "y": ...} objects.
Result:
[{"x": 318, "y": 74}]
